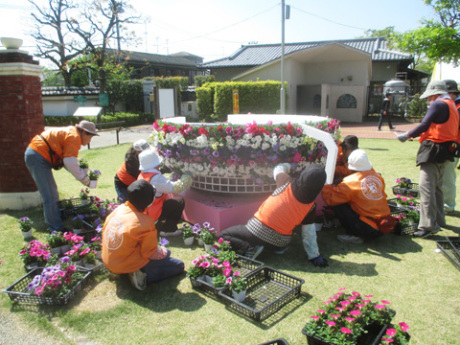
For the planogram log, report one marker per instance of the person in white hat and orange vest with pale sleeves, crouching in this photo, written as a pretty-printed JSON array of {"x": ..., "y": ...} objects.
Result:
[{"x": 167, "y": 212}]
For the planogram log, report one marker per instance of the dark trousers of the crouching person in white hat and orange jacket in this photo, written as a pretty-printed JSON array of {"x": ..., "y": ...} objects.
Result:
[{"x": 352, "y": 224}]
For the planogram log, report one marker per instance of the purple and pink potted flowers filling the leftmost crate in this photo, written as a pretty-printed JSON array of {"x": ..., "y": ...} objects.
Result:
[{"x": 55, "y": 281}]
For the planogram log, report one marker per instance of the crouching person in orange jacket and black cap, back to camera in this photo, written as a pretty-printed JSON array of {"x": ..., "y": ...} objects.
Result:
[{"x": 130, "y": 241}]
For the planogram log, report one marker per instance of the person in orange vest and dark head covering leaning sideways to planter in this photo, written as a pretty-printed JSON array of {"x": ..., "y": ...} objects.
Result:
[{"x": 273, "y": 223}]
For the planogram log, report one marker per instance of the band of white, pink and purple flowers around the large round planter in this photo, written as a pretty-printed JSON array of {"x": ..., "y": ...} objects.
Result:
[{"x": 249, "y": 151}]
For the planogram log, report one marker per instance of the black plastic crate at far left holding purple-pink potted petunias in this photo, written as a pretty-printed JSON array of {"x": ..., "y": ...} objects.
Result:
[{"x": 19, "y": 293}]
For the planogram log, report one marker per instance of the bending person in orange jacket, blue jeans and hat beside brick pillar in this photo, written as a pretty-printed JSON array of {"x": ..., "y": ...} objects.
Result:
[{"x": 54, "y": 149}]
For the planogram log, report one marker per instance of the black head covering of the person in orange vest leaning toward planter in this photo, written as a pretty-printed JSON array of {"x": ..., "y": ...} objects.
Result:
[{"x": 307, "y": 186}]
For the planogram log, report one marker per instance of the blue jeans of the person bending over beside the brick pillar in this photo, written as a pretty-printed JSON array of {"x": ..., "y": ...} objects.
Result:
[{"x": 42, "y": 173}]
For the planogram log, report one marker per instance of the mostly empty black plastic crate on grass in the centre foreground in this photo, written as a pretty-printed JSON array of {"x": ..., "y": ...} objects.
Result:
[{"x": 268, "y": 290}]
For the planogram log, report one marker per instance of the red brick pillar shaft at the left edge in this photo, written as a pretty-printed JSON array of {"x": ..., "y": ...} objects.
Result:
[{"x": 21, "y": 118}]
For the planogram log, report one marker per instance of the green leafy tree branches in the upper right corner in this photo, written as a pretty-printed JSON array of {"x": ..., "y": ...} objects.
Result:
[{"x": 437, "y": 40}]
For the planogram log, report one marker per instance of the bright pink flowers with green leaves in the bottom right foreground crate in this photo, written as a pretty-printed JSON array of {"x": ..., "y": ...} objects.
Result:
[{"x": 345, "y": 316}]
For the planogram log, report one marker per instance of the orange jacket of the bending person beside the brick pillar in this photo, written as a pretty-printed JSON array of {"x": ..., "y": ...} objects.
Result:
[{"x": 65, "y": 142}]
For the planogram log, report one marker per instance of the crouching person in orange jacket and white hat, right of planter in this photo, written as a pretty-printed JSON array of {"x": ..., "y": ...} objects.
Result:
[{"x": 360, "y": 202}]
